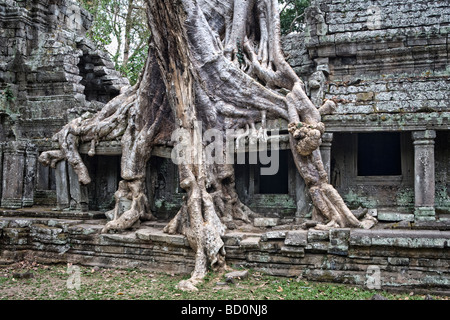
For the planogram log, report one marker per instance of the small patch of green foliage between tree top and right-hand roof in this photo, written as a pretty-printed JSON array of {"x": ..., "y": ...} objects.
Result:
[{"x": 292, "y": 15}]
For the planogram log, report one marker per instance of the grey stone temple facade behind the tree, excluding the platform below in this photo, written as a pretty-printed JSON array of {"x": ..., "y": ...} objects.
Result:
[{"x": 386, "y": 147}]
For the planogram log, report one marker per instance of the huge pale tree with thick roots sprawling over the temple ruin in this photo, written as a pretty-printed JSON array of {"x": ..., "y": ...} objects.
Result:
[{"x": 215, "y": 64}]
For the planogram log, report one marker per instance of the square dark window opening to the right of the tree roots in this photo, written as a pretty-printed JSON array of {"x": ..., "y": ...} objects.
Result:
[{"x": 379, "y": 154}]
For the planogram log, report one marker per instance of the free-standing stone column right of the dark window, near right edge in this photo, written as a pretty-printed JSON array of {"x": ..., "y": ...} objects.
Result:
[{"x": 424, "y": 174}]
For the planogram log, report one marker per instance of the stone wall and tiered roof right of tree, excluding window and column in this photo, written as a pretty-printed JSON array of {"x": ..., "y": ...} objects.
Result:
[{"x": 388, "y": 64}]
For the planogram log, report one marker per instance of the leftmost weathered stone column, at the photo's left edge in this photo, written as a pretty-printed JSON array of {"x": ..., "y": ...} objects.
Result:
[{"x": 13, "y": 174}]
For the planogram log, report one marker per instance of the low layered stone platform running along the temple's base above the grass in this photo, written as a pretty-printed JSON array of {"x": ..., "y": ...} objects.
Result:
[{"x": 388, "y": 259}]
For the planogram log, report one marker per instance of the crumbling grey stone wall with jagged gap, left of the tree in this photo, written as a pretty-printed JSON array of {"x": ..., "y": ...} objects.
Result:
[{"x": 49, "y": 73}]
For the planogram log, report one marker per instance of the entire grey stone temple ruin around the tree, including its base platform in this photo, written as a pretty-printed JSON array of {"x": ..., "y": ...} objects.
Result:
[{"x": 386, "y": 148}]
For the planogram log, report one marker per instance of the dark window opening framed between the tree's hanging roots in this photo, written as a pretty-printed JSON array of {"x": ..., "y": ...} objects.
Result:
[{"x": 277, "y": 183}]
